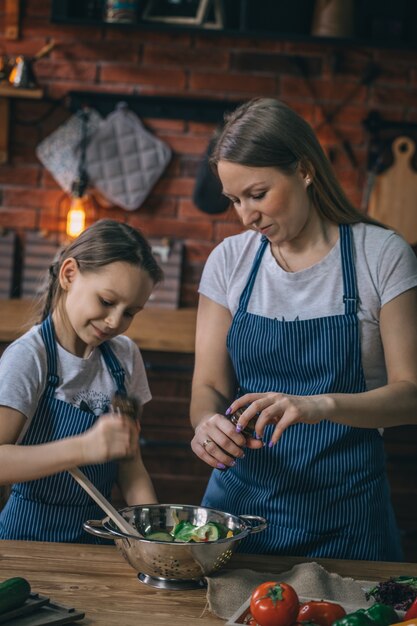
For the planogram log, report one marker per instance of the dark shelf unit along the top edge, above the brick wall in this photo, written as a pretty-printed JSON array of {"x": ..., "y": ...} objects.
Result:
[{"x": 386, "y": 23}]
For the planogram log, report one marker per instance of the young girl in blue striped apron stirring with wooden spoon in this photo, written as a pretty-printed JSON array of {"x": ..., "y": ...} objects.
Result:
[{"x": 57, "y": 383}]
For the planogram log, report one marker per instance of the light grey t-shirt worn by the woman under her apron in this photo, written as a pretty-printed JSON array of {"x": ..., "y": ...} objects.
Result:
[{"x": 385, "y": 267}]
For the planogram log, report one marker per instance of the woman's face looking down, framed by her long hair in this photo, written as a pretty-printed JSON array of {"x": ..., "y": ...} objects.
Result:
[{"x": 267, "y": 200}]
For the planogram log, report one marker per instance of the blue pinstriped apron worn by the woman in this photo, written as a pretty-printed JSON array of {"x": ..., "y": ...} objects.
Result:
[{"x": 322, "y": 487}]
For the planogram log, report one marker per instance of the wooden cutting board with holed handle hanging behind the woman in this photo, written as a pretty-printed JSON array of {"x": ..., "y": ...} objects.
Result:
[{"x": 393, "y": 199}]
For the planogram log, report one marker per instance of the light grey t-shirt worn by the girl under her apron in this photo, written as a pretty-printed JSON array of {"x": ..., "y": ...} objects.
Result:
[{"x": 84, "y": 383}]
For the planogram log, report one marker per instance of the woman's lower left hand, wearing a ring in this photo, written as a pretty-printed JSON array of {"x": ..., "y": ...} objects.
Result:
[{"x": 218, "y": 444}]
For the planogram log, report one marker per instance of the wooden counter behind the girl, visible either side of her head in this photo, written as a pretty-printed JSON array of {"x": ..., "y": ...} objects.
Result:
[{"x": 164, "y": 330}]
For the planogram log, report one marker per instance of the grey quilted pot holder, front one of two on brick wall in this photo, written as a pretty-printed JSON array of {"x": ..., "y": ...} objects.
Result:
[{"x": 124, "y": 160}]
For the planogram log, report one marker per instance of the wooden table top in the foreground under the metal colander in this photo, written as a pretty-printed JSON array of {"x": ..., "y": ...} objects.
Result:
[{"x": 97, "y": 581}]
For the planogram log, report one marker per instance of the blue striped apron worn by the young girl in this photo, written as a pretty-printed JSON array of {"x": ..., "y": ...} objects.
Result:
[{"x": 54, "y": 508}]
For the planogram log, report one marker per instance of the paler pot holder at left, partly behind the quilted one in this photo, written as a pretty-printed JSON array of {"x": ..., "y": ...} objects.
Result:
[{"x": 60, "y": 151}]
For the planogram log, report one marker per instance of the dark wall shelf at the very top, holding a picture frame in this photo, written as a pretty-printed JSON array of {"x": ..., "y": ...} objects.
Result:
[{"x": 276, "y": 21}]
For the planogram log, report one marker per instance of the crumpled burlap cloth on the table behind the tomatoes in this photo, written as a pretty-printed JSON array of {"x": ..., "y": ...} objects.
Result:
[{"x": 228, "y": 590}]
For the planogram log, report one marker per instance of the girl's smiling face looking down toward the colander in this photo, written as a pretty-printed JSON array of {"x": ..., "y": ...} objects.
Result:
[{"x": 98, "y": 305}]
